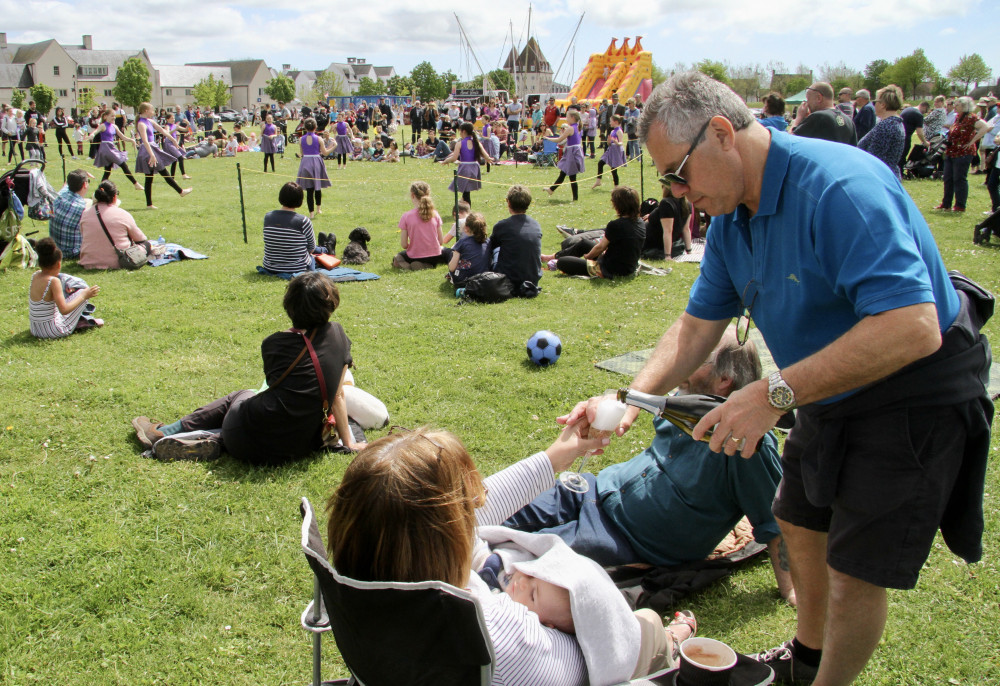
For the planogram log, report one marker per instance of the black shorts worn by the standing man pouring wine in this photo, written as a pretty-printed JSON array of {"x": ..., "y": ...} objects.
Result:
[{"x": 888, "y": 494}]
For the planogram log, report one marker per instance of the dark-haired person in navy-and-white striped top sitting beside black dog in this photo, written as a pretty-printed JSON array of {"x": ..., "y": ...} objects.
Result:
[{"x": 288, "y": 235}]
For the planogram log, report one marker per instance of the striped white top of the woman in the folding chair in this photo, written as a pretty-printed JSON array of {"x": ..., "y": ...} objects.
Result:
[{"x": 527, "y": 653}]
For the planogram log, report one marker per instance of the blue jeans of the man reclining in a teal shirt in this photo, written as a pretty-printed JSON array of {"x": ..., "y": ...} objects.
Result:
[{"x": 578, "y": 519}]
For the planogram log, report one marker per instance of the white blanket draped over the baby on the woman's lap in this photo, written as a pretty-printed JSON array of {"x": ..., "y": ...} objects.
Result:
[{"x": 606, "y": 629}]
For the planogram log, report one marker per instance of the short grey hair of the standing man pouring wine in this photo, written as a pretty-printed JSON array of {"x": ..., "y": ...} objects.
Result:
[{"x": 686, "y": 101}]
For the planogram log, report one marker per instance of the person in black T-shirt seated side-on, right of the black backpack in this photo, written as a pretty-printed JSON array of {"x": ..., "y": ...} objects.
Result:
[{"x": 617, "y": 251}]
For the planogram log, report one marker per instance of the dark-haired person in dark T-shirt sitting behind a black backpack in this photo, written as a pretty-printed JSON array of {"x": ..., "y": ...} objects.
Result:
[{"x": 516, "y": 243}]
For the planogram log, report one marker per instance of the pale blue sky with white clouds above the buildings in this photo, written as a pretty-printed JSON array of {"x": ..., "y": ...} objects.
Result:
[{"x": 309, "y": 34}]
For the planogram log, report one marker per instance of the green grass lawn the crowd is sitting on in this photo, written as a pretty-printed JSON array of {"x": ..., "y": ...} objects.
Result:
[{"x": 119, "y": 569}]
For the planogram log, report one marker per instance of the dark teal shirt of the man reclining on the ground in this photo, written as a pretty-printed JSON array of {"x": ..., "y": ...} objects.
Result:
[{"x": 677, "y": 499}]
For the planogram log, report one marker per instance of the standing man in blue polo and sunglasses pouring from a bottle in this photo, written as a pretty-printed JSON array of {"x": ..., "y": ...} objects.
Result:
[{"x": 821, "y": 247}]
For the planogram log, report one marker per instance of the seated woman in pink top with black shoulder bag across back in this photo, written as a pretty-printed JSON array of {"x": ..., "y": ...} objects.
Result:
[{"x": 96, "y": 250}]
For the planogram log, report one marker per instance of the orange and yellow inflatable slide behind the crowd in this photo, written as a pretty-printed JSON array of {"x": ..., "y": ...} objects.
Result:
[{"x": 625, "y": 70}]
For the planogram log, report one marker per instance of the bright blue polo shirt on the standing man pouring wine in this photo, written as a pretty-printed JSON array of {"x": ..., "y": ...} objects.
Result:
[{"x": 835, "y": 239}]
